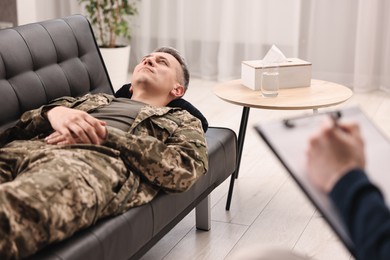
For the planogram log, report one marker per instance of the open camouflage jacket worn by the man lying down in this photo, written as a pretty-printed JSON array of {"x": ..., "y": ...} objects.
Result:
[{"x": 165, "y": 147}]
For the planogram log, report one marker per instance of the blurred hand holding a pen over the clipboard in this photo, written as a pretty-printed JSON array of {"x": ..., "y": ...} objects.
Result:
[{"x": 334, "y": 150}]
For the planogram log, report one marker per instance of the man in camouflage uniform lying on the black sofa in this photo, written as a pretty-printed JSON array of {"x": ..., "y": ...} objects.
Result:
[{"x": 82, "y": 159}]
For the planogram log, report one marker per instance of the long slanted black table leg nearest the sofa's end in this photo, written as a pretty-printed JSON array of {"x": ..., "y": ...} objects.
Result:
[{"x": 240, "y": 145}]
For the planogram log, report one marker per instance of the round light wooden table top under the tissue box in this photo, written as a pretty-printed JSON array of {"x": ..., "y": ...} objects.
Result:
[{"x": 319, "y": 94}]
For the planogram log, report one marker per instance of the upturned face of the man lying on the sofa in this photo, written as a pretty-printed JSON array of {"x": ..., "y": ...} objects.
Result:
[{"x": 157, "y": 73}]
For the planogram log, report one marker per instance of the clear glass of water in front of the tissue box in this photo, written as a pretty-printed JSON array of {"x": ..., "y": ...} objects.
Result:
[{"x": 270, "y": 80}]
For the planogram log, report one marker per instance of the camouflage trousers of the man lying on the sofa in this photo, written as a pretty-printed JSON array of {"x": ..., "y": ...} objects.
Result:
[{"x": 48, "y": 192}]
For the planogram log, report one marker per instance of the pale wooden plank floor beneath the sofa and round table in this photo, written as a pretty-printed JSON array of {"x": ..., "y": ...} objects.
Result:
[{"x": 268, "y": 209}]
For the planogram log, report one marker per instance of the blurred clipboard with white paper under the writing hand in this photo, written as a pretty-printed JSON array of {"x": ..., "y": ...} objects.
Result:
[{"x": 288, "y": 139}]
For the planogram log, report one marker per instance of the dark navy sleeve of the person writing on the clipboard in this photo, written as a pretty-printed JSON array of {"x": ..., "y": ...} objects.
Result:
[{"x": 365, "y": 214}]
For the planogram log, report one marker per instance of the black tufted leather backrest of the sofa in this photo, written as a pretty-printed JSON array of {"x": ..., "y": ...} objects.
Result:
[{"x": 46, "y": 60}]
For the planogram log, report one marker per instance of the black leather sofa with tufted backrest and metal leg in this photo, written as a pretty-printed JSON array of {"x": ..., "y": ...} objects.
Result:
[{"x": 46, "y": 60}]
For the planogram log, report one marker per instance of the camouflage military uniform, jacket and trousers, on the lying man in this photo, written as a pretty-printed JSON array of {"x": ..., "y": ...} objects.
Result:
[{"x": 47, "y": 192}]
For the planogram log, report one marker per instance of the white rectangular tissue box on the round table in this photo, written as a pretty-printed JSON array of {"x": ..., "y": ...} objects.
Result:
[{"x": 293, "y": 73}]
